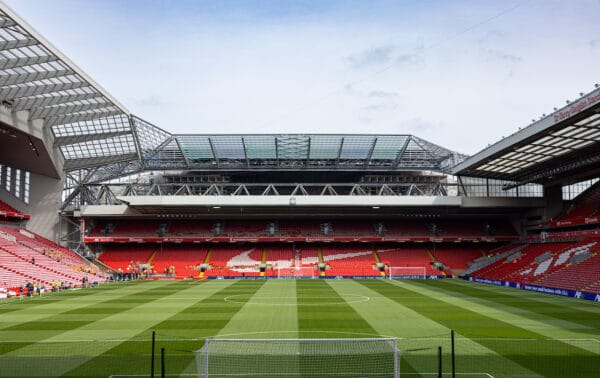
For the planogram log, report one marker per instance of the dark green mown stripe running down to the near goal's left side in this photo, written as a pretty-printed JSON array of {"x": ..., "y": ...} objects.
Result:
[{"x": 203, "y": 315}]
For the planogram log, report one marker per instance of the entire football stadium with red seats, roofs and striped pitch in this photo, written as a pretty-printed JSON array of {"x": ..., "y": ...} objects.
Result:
[{"x": 128, "y": 250}]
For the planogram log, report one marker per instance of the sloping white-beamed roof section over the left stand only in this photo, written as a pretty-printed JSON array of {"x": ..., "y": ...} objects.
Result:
[{"x": 88, "y": 124}]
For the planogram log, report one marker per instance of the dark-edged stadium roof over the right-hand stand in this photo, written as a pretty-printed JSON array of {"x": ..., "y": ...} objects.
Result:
[{"x": 562, "y": 147}]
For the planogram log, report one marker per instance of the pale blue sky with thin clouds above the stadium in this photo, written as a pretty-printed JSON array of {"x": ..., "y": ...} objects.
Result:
[{"x": 458, "y": 73}]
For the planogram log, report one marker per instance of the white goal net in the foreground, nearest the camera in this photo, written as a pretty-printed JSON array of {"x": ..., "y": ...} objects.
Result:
[{"x": 376, "y": 357}]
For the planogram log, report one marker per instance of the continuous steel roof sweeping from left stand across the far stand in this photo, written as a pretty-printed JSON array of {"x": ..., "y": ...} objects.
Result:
[{"x": 100, "y": 140}]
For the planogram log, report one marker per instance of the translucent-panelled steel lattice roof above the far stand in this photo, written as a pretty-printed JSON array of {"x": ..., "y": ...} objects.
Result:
[{"x": 161, "y": 150}]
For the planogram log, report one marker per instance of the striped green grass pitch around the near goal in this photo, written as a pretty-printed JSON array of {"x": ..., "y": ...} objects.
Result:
[{"x": 106, "y": 331}]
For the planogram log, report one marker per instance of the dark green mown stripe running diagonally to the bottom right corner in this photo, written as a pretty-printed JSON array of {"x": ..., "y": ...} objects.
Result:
[{"x": 557, "y": 361}]
